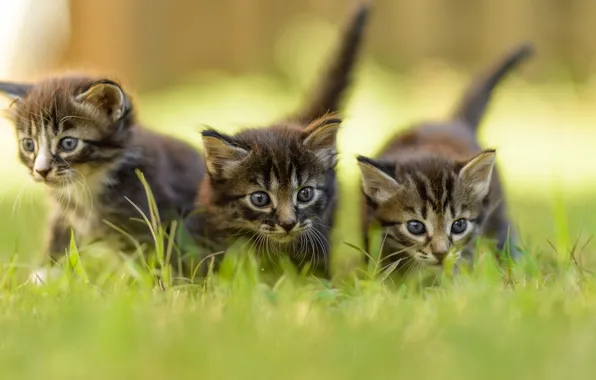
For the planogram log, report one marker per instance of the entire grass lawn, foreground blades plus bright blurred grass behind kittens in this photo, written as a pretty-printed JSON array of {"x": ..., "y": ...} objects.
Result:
[{"x": 536, "y": 320}]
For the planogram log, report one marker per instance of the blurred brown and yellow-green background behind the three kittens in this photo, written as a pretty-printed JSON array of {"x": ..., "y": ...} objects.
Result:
[{"x": 235, "y": 63}]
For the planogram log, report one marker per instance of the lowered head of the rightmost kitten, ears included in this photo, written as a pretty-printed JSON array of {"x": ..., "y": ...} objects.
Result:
[{"x": 429, "y": 207}]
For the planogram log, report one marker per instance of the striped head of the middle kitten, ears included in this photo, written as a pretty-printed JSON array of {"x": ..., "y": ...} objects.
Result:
[{"x": 276, "y": 182}]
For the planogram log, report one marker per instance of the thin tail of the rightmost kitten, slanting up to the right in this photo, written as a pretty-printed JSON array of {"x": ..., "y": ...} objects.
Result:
[{"x": 473, "y": 105}]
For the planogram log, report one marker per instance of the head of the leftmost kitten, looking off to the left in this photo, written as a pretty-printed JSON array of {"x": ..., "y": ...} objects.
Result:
[{"x": 69, "y": 126}]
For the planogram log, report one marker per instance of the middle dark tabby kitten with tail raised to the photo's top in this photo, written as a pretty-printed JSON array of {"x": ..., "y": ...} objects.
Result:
[{"x": 277, "y": 185}]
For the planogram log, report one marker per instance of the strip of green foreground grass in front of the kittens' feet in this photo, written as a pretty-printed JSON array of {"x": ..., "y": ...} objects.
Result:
[{"x": 537, "y": 320}]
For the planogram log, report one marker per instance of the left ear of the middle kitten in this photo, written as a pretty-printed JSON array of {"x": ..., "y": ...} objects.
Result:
[{"x": 222, "y": 155}]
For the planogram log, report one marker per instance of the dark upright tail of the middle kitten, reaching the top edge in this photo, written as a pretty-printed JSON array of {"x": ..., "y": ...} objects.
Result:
[{"x": 336, "y": 78}]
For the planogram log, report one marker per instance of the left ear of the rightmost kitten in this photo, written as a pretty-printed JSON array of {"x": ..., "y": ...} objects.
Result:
[{"x": 376, "y": 183}]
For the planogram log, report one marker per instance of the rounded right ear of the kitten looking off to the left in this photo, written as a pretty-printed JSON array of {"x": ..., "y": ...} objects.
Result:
[{"x": 106, "y": 96}]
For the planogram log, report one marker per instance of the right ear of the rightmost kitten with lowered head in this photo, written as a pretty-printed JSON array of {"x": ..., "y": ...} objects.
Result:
[{"x": 477, "y": 173}]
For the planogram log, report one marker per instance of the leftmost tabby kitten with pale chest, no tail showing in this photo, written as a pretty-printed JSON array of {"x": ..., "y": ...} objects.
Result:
[{"x": 79, "y": 136}]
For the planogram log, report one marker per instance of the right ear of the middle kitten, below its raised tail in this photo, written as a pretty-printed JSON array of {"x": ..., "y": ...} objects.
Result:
[{"x": 321, "y": 138}]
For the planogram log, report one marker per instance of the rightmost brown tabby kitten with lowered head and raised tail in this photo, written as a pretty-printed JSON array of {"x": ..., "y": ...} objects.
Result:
[{"x": 433, "y": 190}]
